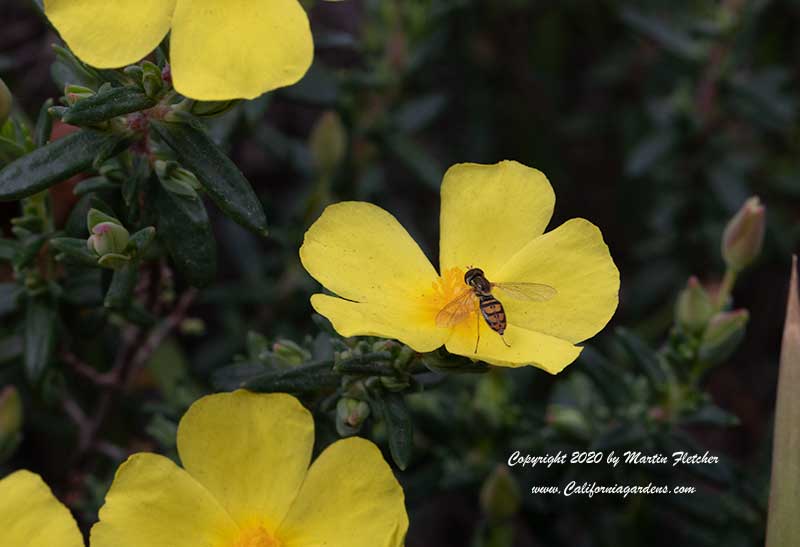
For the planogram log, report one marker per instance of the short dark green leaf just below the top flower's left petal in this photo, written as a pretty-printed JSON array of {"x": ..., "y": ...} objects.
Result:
[{"x": 107, "y": 104}]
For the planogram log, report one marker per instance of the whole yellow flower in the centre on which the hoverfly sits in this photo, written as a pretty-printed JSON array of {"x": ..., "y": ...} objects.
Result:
[{"x": 493, "y": 217}]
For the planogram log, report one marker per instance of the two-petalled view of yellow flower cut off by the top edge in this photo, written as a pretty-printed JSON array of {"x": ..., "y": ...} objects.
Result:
[{"x": 218, "y": 50}]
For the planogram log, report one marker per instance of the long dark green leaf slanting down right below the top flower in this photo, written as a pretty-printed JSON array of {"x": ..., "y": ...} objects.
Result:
[{"x": 218, "y": 175}]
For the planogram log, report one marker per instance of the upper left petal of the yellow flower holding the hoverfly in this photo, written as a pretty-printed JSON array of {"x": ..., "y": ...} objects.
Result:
[{"x": 360, "y": 252}]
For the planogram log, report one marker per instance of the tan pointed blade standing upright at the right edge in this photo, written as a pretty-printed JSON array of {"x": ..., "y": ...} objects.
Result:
[{"x": 783, "y": 528}]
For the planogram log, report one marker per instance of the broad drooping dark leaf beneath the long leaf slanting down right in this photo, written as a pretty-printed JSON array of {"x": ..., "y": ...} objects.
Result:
[{"x": 185, "y": 229}]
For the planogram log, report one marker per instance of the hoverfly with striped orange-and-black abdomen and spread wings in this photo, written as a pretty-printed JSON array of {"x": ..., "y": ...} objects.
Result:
[{"x": 477, "y": 295}]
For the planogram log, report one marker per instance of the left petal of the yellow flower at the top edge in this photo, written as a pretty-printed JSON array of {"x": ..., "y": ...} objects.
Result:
[{"x": 111, "y": 34}]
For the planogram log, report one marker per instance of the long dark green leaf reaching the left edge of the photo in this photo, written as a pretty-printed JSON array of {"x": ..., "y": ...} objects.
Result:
[{"x": 52, "y": 163}]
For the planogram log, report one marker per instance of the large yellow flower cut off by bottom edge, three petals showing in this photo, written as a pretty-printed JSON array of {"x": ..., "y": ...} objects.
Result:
[{"x": 246, "y": 482}]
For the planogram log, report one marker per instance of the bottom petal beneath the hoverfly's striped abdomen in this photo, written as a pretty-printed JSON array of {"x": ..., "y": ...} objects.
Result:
[{"x": 526, "y": 347}]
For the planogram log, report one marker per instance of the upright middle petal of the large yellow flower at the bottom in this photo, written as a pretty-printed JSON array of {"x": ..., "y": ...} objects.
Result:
[{"x": 251, "y": 451}]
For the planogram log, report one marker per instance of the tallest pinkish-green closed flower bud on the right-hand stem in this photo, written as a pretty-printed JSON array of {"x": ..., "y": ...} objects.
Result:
[{"x": 744, "y": 236}]
